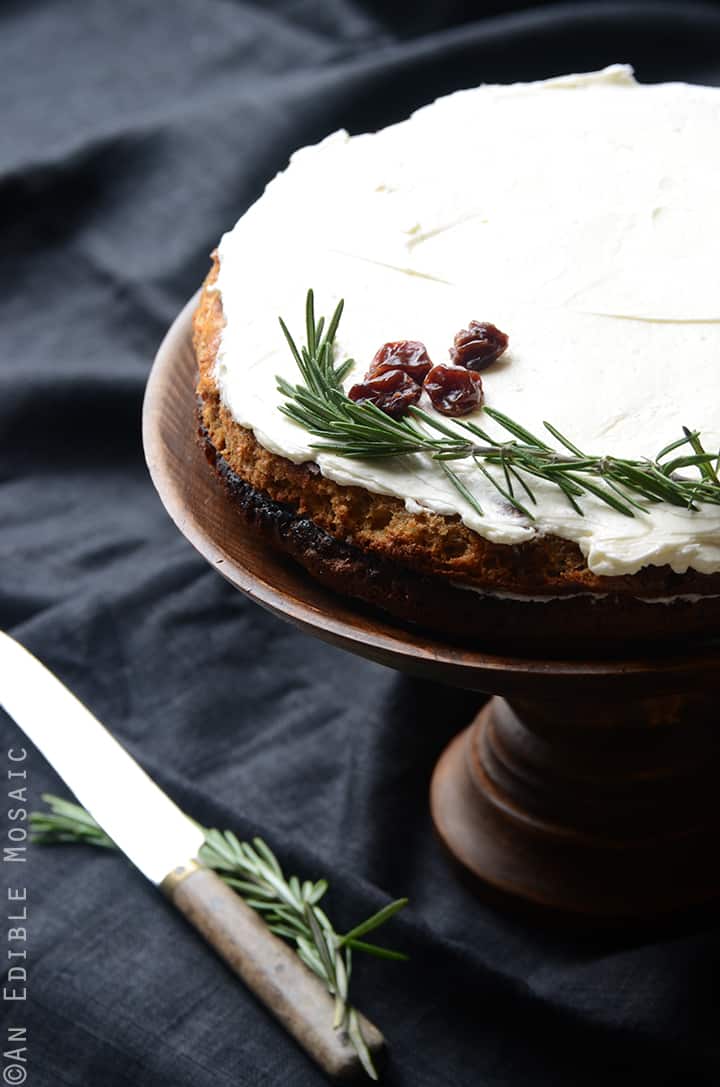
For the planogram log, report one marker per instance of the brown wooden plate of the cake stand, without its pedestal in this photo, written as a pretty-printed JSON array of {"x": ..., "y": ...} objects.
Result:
[{"x": 189, "y": 491}]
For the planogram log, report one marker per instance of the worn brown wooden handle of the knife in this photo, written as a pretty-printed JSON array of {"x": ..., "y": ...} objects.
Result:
[{"x": 271, "y": 970}]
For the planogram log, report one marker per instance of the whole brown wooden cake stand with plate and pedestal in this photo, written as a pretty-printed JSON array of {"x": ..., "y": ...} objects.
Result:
[{"x": 590, "y": 786}]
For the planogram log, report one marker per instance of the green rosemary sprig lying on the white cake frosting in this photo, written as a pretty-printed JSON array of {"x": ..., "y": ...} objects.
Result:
[{"x": 516, "y": 456}]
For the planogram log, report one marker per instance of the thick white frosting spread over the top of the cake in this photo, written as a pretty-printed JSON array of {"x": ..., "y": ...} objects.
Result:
[{"x": 580, "y": 215}]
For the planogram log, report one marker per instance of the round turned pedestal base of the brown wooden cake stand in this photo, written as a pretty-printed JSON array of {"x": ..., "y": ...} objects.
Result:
[{"x": 590, "y": 806}]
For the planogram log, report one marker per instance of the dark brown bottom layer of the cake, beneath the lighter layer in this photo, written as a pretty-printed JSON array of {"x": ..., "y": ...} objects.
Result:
[{"x": 567, "y": 626}]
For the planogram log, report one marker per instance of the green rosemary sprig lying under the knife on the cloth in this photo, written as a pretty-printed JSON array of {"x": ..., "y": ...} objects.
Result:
[{"x": 288, "y": 906}]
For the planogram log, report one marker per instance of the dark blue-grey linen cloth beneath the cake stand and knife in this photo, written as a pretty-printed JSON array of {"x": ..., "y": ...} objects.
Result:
[{"x": 132, "y": 136}]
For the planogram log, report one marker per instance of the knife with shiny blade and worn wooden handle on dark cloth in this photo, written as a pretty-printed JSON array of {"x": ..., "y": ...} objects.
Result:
[{"x": 164, "y": 844}]
